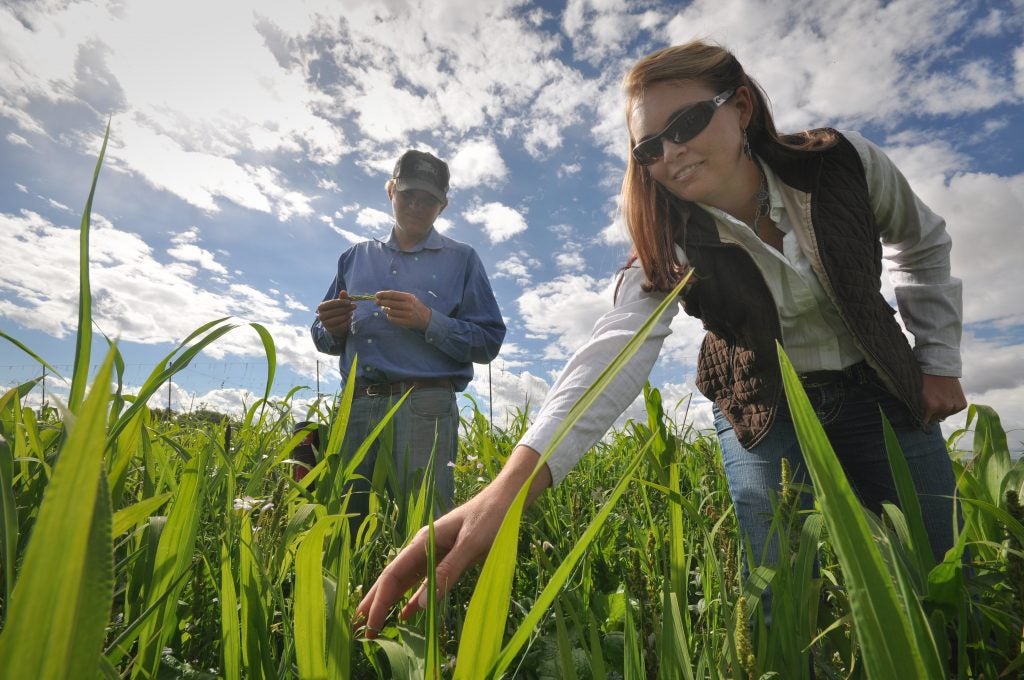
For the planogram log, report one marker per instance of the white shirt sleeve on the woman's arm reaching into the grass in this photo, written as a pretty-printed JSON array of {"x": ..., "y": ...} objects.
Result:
[{"x": 612, "y": 332}]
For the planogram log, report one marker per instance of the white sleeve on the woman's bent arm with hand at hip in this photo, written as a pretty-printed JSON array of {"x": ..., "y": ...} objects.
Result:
[{"x": 917, "y": 245}]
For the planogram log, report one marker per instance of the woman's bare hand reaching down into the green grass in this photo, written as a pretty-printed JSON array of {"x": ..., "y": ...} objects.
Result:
[{"x": 462, "y": 538}]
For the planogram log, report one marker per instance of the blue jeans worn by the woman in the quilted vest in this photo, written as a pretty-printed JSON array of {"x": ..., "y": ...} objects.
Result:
[{"x": 848, "y": 409}]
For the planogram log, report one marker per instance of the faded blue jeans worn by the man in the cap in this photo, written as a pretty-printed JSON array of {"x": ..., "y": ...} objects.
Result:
[{"x": 429, "y": 416}]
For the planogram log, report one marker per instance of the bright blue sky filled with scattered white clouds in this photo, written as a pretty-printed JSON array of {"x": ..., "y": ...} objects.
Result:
[{"x": 250, "y": 143}]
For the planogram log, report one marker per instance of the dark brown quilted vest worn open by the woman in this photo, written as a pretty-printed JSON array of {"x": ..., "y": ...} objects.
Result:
[{"x": 739, "y": 368}]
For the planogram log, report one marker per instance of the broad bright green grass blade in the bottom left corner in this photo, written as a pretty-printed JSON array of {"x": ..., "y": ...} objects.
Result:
[{"x": 62, "y": 603}]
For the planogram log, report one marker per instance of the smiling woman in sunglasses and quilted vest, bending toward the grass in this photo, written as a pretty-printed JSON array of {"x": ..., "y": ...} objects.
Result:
[{"x": 784, "y": 234}]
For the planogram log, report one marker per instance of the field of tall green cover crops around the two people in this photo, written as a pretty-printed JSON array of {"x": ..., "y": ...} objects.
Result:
[{"x": 134, "y": 546}]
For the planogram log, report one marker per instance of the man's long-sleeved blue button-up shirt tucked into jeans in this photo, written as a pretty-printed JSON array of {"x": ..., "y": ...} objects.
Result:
[{"x": 465, "y": 326}]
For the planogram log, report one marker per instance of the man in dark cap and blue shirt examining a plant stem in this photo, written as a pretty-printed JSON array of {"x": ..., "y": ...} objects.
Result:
[{"x": 433, "y": 315}]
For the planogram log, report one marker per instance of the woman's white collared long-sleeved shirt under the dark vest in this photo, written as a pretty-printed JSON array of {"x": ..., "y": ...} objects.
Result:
[{"x": 916, "y": 244}]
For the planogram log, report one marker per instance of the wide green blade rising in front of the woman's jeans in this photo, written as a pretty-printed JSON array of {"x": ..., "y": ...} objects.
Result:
[{"x": 883, "y": 627}]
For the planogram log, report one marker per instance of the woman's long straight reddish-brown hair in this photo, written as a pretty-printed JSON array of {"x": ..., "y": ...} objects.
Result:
[{"x": 657, "y": 222}]
